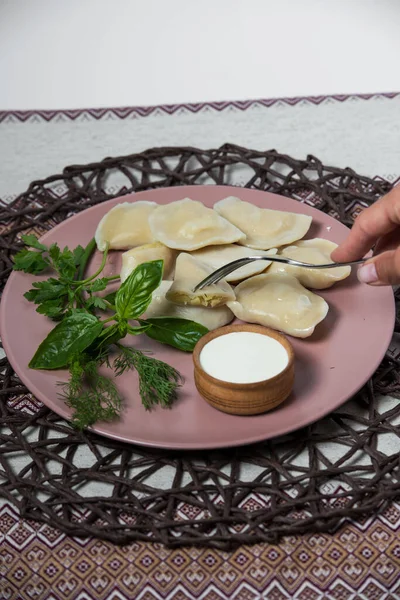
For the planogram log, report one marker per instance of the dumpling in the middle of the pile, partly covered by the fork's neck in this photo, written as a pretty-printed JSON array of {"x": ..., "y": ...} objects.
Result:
[{"x": 218, "y": 256}]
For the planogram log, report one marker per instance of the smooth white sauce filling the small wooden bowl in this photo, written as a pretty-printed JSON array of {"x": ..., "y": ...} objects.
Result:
[{"x": 243, "y": 357}]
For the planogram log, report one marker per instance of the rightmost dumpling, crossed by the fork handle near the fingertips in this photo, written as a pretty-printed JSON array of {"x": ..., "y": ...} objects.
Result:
[{"x": 316, "y": 251}]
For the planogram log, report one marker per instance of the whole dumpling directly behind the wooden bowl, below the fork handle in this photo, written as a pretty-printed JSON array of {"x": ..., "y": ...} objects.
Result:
[{"x": 279, "y": 301}]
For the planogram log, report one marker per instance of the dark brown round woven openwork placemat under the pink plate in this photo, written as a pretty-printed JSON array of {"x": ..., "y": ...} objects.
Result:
[{"x": 342, "y": 467}]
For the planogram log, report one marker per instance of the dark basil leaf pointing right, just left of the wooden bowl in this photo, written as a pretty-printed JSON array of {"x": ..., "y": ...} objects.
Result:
[{"x": 174, "y": 331}]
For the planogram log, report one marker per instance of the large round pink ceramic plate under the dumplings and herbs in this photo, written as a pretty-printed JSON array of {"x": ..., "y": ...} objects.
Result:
[{"x": 330, "y": 366}]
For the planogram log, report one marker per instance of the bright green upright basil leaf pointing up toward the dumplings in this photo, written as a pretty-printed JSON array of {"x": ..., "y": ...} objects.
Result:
[{"x": 134, "y": 295}]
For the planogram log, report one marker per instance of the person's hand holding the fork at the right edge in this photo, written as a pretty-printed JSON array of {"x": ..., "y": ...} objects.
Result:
[{"x": 379, "y": 224}]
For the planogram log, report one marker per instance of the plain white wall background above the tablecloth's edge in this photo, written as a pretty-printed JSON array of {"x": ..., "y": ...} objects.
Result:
[{"x": 94, "y": 53}]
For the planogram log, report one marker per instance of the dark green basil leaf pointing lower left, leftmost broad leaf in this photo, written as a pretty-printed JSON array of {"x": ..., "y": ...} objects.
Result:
[{"x": 70, "y": 337}]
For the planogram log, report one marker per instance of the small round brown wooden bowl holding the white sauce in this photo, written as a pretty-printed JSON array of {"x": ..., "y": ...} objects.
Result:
[{"x": 244, "y": 398}]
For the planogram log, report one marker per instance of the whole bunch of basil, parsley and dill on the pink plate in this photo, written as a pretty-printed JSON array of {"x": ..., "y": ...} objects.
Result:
[{"x": 82, "y": 341}]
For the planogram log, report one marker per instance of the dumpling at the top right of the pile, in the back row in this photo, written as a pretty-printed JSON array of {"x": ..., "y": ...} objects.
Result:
[{"x": 264, "y": 228}]
